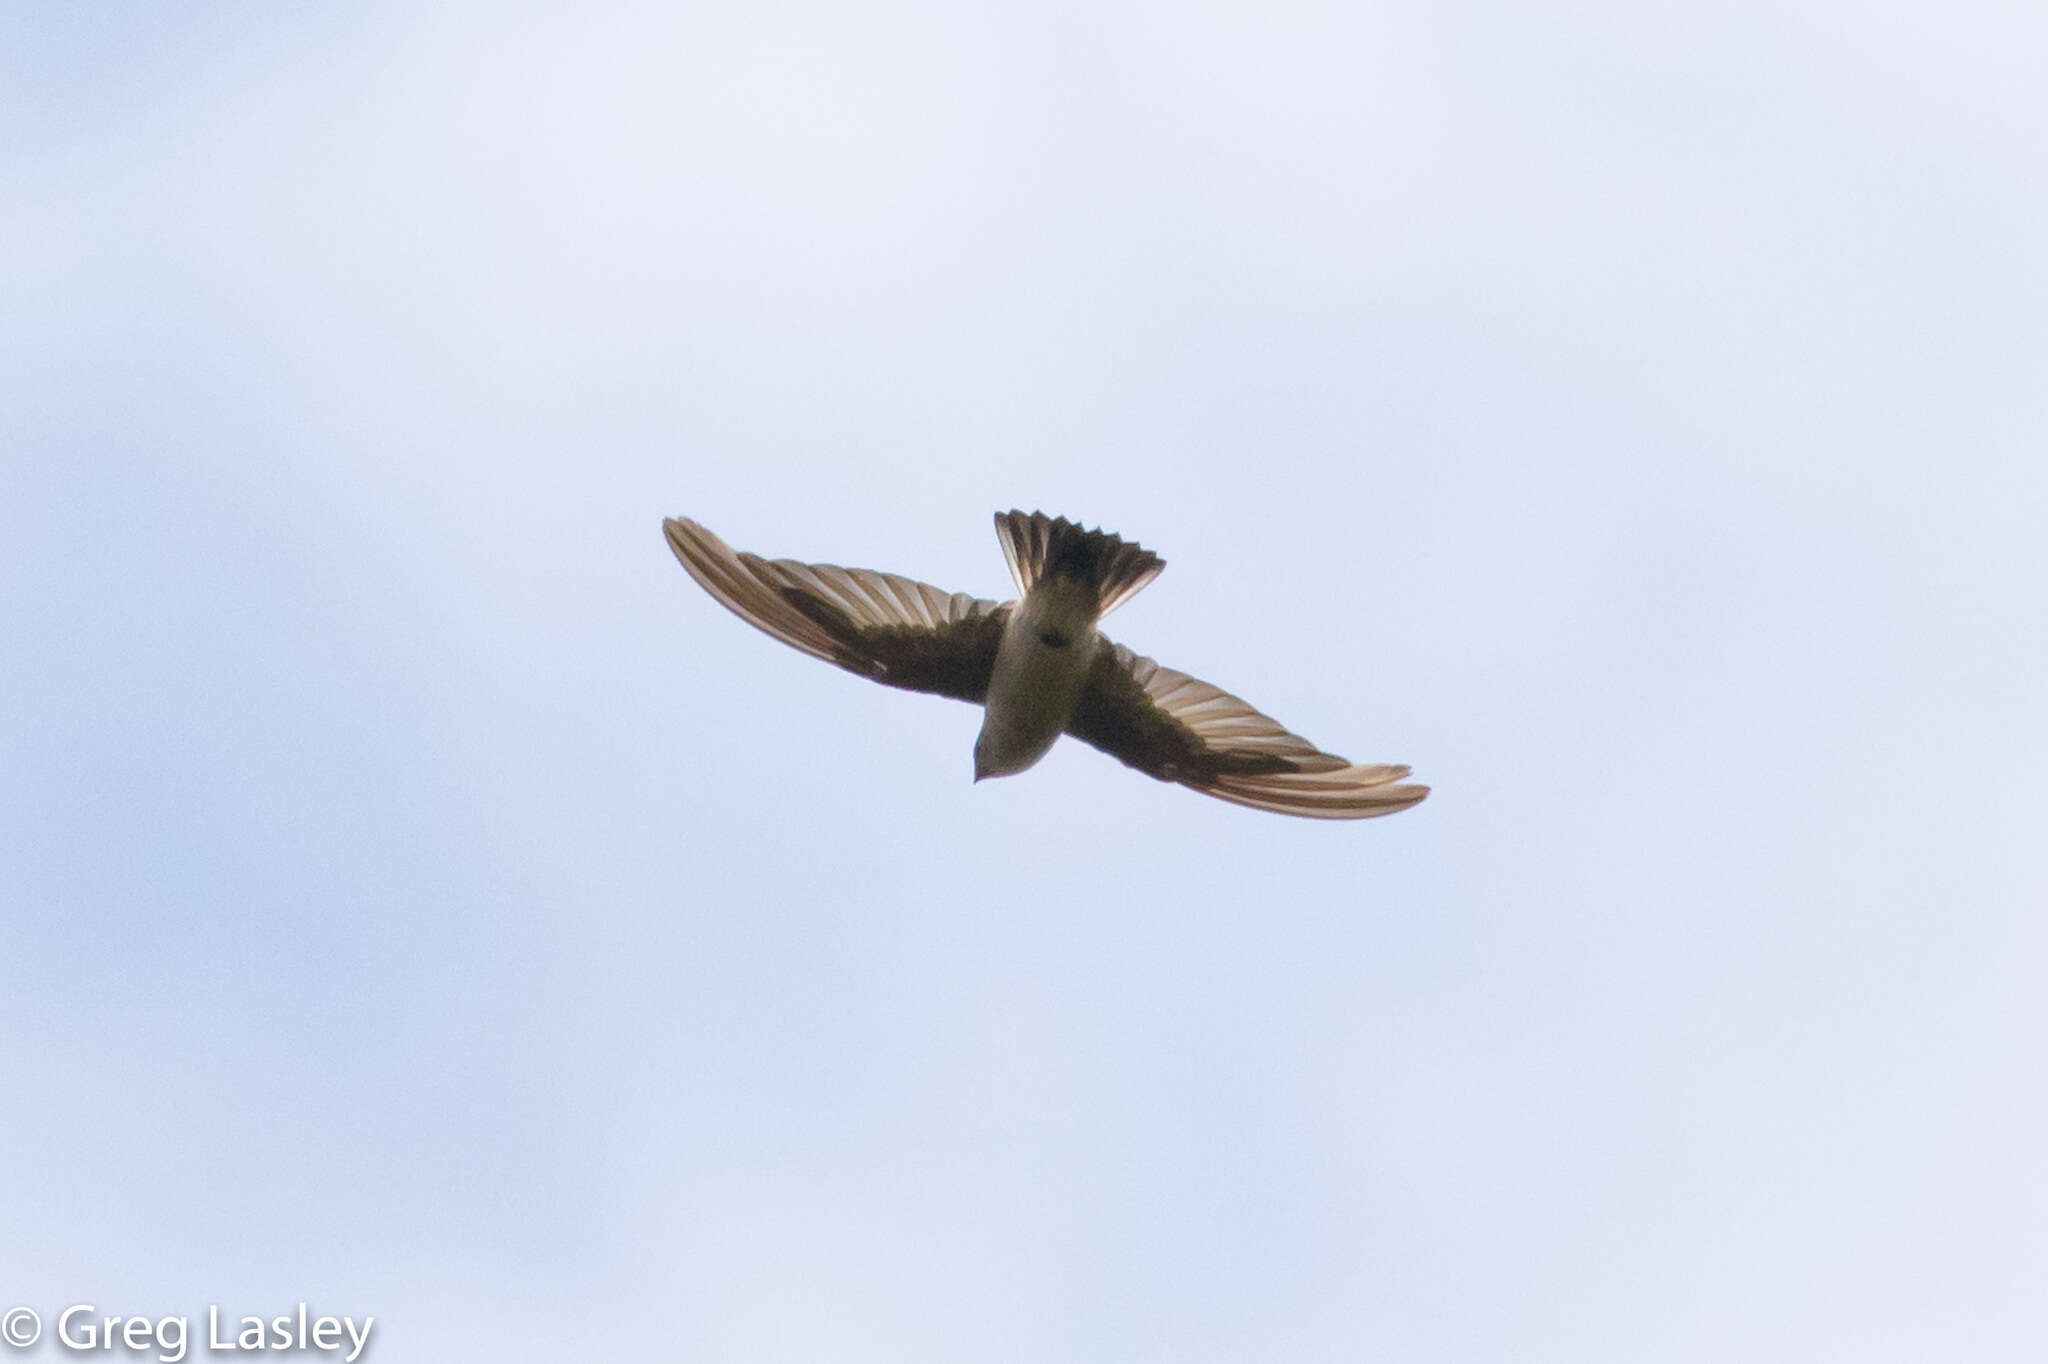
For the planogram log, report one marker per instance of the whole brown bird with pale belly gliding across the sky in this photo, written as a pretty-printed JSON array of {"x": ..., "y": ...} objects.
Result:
[{"x": 1039, "y": 667}]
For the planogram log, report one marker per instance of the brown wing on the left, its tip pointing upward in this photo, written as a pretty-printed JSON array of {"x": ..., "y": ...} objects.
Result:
[{"x": 886, "y": 628}]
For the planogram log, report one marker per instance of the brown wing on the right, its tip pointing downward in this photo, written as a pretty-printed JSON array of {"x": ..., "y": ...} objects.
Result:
[{"x": 1181, "y": 730}]
